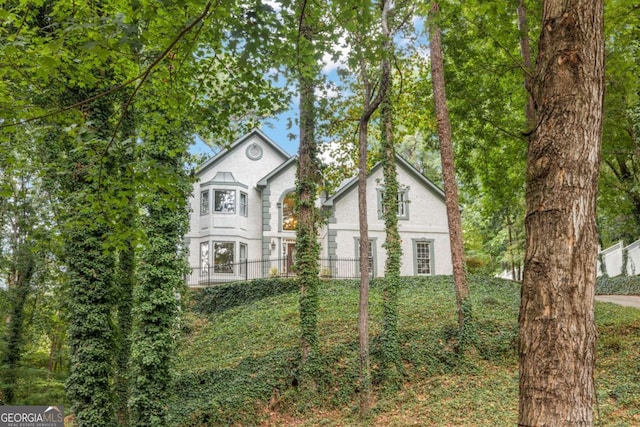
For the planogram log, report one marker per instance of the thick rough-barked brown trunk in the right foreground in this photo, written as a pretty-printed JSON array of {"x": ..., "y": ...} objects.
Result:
[{"x": 557, "y": 330}]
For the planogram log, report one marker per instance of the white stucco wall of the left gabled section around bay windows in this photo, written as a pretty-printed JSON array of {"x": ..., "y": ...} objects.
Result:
[{"x": 232, "y": 227}]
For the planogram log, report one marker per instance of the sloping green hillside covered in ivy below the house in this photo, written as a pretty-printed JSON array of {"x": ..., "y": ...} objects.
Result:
[{"x": 237, "y": 365}]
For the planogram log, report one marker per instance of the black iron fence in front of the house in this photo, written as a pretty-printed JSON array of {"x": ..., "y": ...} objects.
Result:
[{"x": 337, "y": 268}]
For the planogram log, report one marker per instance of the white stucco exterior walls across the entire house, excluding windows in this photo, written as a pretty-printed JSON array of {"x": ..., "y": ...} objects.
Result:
[{"x": 268, "y": 179}]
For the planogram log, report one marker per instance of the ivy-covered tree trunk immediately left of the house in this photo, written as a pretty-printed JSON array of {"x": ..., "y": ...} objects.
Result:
[{"x": 161, "y": 271}]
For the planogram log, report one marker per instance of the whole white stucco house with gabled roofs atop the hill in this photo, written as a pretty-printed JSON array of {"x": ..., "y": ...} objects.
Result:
[{"x": 242, "y": 222}]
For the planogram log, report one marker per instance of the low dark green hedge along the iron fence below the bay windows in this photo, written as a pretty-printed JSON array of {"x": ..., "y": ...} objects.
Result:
[{"x": 217, "y": 299}]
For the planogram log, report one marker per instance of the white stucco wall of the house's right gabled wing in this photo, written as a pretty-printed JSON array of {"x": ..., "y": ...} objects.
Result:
[{"x": 427, "y": 220}]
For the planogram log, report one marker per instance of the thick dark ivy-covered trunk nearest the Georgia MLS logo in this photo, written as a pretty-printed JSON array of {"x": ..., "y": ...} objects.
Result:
[{"x": 91, "y": 267}]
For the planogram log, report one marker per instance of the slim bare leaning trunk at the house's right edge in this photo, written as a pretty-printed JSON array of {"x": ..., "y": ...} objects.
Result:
[{"x": 448, "y": 168}]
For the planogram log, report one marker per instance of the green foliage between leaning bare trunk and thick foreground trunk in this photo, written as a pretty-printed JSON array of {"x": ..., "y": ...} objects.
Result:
[{"x": 486, "y": 97}]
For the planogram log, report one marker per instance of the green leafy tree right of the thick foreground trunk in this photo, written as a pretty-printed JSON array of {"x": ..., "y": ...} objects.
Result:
[{"x": 619, "y": 187}]
